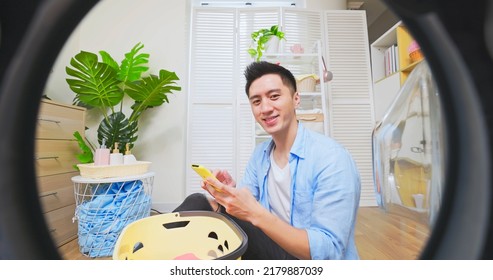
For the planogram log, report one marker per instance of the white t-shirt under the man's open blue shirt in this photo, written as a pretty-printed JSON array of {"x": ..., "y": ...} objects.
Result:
[{"x": 279, "y": 190}]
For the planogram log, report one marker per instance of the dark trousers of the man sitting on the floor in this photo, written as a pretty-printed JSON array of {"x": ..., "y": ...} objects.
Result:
[{"x": 260, "y": 246}]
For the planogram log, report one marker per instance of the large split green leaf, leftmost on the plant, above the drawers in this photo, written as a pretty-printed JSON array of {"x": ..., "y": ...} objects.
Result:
[{"x": 94, "y": 83}]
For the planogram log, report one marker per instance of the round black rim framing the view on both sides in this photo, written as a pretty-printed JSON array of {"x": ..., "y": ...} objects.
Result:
[{"x": 455, "y": 38}]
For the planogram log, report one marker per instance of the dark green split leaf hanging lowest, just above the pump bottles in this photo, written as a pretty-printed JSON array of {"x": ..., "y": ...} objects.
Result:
[{"x": 117, "y": 129}]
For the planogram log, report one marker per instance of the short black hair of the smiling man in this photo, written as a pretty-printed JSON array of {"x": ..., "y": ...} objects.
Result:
[{"x": 258, "y": 69}]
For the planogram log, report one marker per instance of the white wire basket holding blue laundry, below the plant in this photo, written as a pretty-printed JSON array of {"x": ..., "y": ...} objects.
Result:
[{"x": 105, "y": 206}]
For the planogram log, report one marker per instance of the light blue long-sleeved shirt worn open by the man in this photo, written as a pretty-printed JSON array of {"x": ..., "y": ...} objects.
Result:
[{"x": 325, "y": 191}]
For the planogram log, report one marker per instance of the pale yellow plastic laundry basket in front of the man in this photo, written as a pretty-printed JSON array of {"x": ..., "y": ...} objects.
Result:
[{"x": 189, "y": 235}]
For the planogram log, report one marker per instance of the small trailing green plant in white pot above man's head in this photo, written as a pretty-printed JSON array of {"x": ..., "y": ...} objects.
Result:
[{"x": 261, "y": 40}]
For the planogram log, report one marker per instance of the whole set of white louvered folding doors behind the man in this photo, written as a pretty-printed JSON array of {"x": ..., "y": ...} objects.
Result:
[{"x": 220, "y": 124}]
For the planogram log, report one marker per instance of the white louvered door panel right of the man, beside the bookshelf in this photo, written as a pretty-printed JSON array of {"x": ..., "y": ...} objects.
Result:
[{"x": 350, "y": 91}]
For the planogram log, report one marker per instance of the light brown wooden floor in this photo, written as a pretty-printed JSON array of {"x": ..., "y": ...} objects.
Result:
[{"x": 379, "y": 236}]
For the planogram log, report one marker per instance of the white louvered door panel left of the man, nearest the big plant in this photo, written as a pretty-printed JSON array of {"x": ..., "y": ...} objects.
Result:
[{"x": 211, "y": 110}]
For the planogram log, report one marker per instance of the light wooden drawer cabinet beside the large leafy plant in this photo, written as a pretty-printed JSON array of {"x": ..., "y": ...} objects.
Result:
[{"x": 55, "y": 155}]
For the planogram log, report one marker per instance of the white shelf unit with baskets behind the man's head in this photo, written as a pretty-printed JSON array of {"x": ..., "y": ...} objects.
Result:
[{"x": 313, "y": 106}]
